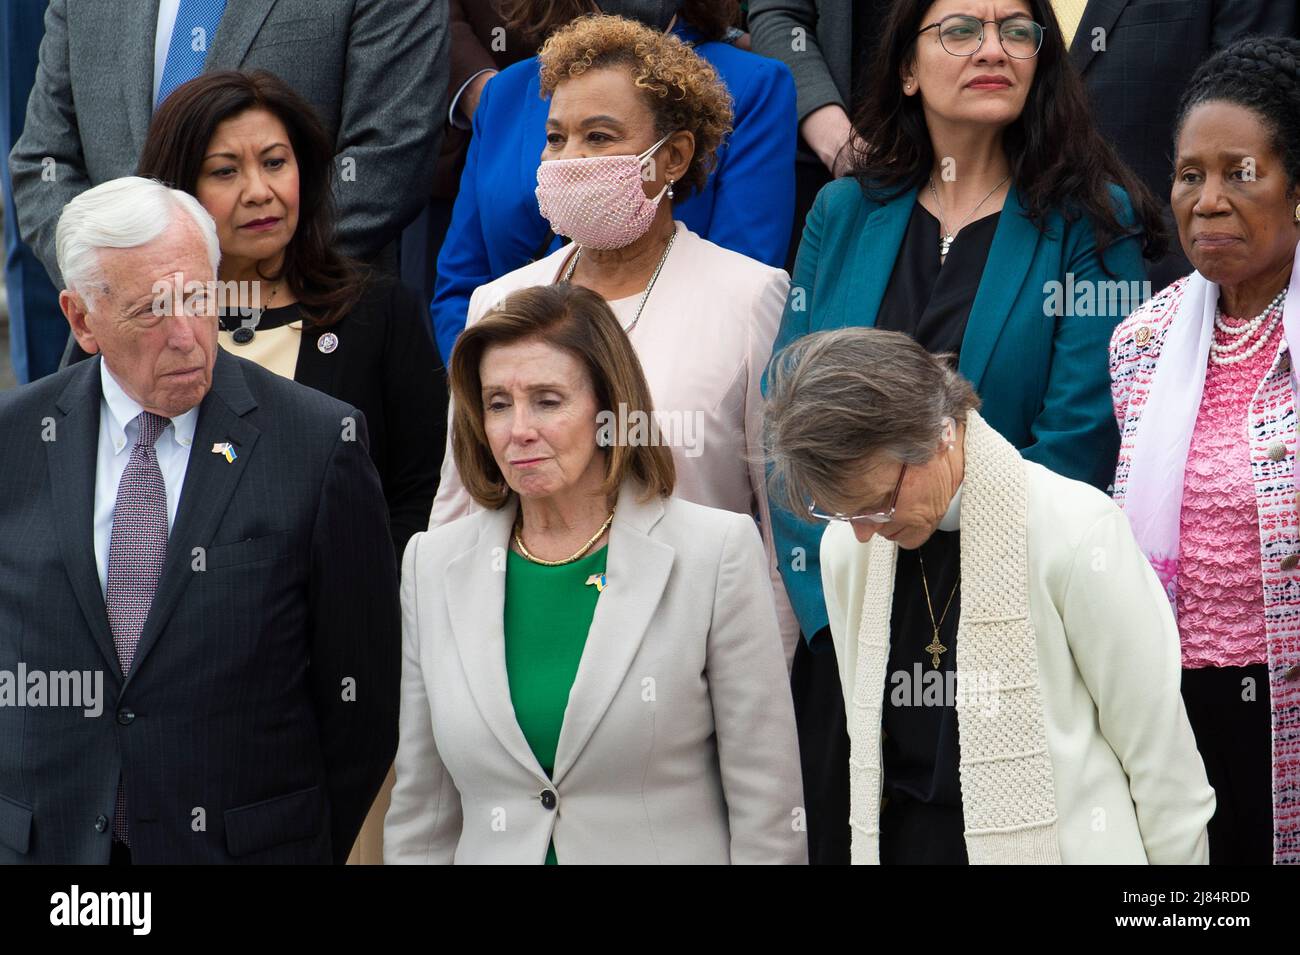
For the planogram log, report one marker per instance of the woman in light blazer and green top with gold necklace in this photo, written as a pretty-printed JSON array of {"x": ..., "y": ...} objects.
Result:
[{"x": 593, "y": 668}]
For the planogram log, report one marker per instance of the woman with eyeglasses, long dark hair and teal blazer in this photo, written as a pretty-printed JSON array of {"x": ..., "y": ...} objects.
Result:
[{"x": 986, "y": 219}]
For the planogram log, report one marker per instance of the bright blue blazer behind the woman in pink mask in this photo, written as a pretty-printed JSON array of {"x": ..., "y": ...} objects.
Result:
[{"x": 747, "y": 206}]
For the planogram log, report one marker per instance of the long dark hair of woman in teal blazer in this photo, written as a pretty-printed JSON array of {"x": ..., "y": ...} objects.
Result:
[{"x": 1060, "y": 162}]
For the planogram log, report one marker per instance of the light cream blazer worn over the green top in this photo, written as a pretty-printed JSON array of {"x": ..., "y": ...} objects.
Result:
[{"x": 679, "y": 737}]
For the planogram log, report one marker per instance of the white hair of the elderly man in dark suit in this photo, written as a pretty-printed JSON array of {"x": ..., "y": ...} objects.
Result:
[{"x": 122, "y": 214}]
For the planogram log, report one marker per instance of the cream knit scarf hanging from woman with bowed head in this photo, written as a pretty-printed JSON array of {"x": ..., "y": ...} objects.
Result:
[{"x": 1008, "y": 796}]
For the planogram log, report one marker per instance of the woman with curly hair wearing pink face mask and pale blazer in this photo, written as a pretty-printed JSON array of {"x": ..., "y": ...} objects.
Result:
[{"x": 635, "y": 124}]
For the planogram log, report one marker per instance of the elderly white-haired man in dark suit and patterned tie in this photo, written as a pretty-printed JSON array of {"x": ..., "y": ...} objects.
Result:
[{"x": 198, "y": 591}]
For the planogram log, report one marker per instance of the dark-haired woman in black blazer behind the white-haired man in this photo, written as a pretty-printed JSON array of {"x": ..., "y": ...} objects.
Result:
[{"x": 259, "y": 160}]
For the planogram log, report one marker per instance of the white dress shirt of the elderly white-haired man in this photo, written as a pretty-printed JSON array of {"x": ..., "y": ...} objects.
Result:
[{"x": 118, "y": 433}]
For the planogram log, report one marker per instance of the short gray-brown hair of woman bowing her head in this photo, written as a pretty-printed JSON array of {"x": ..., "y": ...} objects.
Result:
[{"x": 839, "y": 398}]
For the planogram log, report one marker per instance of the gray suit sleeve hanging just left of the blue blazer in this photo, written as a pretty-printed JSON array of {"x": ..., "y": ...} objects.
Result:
[{"x": 392, "y": 119}]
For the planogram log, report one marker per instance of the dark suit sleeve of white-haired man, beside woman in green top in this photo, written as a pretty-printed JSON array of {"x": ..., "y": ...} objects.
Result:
[{"x": 356, "y": 627}]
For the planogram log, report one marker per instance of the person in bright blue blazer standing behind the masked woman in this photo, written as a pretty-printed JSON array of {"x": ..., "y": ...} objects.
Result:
[{"x": 743, "y": 201}]
